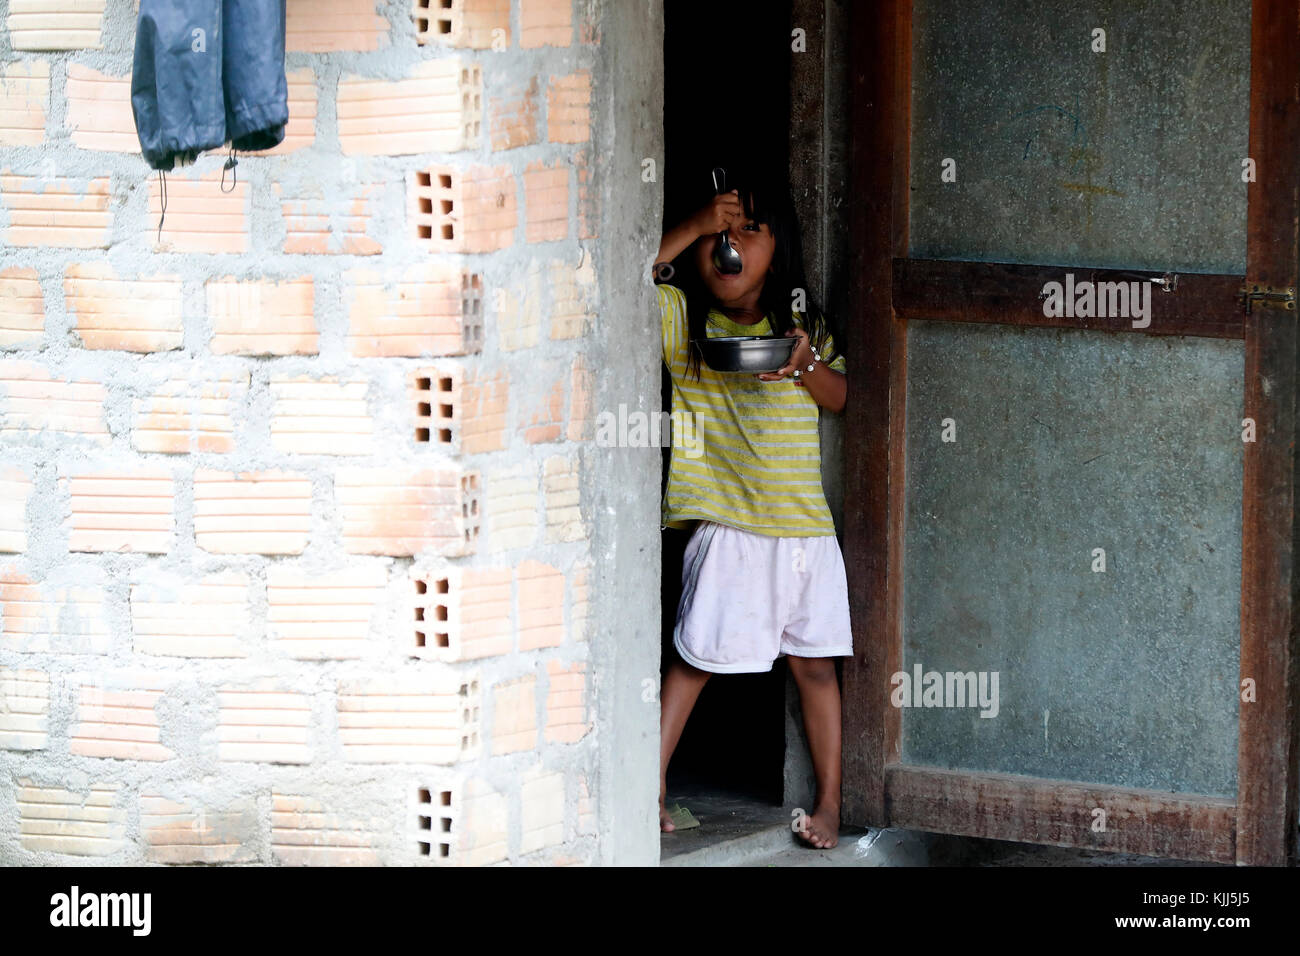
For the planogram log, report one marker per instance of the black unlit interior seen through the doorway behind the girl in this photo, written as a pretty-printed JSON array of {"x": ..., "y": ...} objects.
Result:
[{"x": 726, "y": 102}]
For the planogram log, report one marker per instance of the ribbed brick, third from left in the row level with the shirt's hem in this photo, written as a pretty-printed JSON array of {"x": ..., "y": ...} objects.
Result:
[{"x": 252, "y": 513}]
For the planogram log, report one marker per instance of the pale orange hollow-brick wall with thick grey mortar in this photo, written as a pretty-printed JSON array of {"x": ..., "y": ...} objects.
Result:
[{"x": 294, "y": 563}]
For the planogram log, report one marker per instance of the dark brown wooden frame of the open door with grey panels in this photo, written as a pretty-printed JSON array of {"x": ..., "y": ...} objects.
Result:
[{"x": 886, "y": 292}]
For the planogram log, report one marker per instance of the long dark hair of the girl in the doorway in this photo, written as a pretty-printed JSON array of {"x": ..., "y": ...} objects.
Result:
[{"x": 766, "y": 200}]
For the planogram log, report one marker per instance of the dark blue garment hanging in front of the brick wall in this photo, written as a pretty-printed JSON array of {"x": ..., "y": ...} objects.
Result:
[{"x": 206, "y": 73}]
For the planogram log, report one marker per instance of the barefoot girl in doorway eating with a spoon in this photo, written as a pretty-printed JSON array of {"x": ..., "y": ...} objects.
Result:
[{"x": 762, "y": 576}]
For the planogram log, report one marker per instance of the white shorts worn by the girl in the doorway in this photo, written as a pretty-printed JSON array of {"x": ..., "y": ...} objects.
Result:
[{"x": 749, "y": 599}]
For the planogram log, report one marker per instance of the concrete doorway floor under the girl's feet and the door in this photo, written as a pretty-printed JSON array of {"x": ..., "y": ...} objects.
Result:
[{"x": 736, "y": 830}]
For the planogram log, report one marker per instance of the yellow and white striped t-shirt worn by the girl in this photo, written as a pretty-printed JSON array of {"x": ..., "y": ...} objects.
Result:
[{"x": 746, "y": 452}]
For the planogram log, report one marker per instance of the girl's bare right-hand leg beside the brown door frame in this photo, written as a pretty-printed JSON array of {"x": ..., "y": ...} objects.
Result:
[{"x": 820, "y": 694}]
